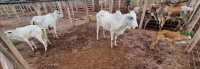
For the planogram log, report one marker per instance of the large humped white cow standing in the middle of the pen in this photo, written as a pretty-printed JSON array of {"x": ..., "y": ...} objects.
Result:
[{"x": 115, "y": 23}]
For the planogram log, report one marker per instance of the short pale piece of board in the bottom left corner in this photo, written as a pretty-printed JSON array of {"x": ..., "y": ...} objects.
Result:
[{"x": 6, "y": 64}]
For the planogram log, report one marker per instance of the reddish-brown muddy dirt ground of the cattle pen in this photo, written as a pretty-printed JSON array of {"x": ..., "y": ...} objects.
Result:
[{"x": 77, "y": 48}]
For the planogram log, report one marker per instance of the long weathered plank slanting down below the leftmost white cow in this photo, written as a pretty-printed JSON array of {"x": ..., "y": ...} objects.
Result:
[{"x": 14, "y": 51}]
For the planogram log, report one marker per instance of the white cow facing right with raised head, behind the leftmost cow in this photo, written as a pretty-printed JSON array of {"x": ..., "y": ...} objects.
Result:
[{"x": 47, "y": 21}]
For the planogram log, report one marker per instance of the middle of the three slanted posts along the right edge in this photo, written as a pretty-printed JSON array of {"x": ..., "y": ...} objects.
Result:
[{"x": 194, "y": 21}]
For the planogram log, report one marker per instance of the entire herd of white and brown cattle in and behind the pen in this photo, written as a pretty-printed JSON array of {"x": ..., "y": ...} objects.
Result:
[{"x": 116, "y": 23}]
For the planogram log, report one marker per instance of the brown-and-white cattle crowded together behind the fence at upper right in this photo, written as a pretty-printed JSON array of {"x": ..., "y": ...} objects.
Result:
[{"x": 167, "y": 11}]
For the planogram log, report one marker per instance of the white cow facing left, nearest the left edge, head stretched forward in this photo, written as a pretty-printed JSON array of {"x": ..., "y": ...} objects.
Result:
[{"x": 26, "y": 33}]
